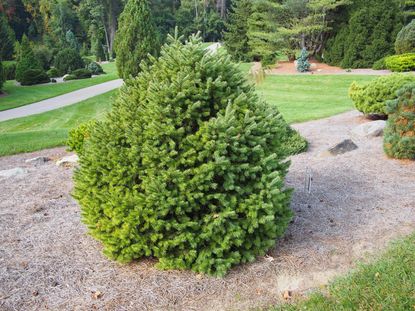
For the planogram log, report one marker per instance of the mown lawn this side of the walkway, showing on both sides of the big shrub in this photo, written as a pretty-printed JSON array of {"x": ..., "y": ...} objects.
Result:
[{"x": 299, "y": 98}]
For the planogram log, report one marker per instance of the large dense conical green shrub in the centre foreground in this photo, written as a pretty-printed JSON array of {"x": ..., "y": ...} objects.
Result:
[{"x": 188, "y": 167}]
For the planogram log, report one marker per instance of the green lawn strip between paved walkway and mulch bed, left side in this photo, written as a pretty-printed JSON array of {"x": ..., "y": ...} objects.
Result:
[{"x": 50, "y": 129}]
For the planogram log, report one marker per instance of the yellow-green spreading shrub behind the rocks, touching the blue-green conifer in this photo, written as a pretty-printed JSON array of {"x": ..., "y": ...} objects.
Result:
[{"x": 371, "y": 98}]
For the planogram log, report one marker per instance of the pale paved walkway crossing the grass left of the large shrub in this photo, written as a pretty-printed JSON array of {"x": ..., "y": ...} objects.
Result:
[{"x": 60, "y": 101}]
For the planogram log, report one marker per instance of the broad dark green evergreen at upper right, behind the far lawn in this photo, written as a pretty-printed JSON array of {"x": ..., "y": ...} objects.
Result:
[{"x": 368, "y": 36}]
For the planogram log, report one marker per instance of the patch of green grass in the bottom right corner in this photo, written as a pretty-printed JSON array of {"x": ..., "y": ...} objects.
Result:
[{"x": 386, "y": 284}]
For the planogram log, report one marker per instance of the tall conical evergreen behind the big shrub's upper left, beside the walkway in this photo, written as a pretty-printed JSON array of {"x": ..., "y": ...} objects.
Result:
[{"x": 136, "y": 37}]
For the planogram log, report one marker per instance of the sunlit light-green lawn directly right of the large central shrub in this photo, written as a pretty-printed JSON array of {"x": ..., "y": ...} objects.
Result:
[{"x": 309, "y": 97}]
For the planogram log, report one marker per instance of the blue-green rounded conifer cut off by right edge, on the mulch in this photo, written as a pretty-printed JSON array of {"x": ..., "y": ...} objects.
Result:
[{"x": 399, "y": 138}]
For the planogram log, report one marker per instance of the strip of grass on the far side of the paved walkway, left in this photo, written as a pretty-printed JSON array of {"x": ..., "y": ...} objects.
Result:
[{"x": 23, "y": 95}]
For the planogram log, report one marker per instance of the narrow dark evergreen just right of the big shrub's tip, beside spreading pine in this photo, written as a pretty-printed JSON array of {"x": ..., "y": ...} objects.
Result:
[{"x": 236, "y": 34}]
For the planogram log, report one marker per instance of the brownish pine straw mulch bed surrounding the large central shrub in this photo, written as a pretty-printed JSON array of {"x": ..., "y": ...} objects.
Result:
[{"x": 359, "y": 201}]
